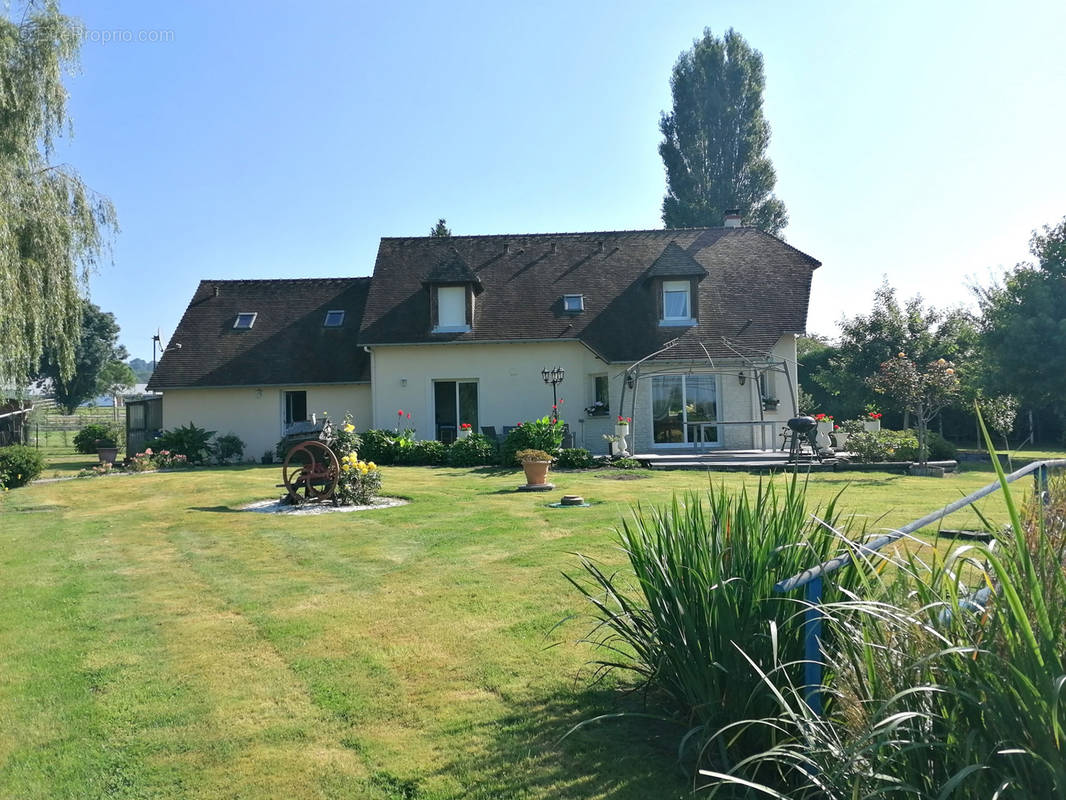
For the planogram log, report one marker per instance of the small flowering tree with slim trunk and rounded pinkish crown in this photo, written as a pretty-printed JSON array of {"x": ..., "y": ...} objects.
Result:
[{"x": 924, "y": 393}]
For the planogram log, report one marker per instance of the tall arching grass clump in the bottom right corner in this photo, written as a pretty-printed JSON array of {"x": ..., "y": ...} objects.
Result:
[{"x": 949, "y": 682}]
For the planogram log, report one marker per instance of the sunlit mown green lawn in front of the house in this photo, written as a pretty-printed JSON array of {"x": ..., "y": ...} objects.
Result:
[{"x": 156, "y": 643}]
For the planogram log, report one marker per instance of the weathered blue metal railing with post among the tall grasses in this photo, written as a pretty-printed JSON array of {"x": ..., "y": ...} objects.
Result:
[{"x": 813, "y": 580}]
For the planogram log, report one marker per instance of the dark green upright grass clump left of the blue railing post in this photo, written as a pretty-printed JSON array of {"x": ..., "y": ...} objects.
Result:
[{"x": 698, "y": 606}]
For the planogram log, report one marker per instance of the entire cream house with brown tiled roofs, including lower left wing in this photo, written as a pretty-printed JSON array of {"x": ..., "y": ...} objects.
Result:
[{"x": 691, "y": 333}]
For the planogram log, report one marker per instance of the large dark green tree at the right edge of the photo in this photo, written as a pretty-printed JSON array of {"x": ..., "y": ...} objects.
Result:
[{"x": 1024, "y": 325}]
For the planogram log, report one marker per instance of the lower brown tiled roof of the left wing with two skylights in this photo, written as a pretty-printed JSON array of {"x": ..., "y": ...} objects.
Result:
[{"x": 286, "y": 345}]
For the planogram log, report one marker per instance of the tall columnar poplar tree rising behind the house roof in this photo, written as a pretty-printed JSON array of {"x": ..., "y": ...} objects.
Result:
[{"x": 716, "y": 138}]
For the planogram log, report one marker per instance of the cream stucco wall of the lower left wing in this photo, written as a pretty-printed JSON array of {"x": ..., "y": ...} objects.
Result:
[{"x": 256, "y": 415}]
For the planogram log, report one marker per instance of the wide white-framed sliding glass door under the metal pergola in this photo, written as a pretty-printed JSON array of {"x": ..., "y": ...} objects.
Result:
[{"x": 685, "y": 411}]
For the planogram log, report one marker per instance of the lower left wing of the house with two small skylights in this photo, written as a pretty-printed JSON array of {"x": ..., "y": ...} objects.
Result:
[{"x": 253, "y": 358}]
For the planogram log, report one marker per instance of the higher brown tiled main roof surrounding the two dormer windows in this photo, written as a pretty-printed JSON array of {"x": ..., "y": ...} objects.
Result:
[{"x": 757, "y": 289}]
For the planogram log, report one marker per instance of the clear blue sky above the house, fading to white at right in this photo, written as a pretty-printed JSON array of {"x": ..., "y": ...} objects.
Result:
[{"x": 918, "y": 140}]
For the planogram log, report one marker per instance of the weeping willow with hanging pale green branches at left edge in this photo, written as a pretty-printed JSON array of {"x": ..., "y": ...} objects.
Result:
[{"x": 52, "y": 223}]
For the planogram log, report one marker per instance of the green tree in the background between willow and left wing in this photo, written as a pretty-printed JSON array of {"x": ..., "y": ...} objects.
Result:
[{"x": 96, "y": 349}]
